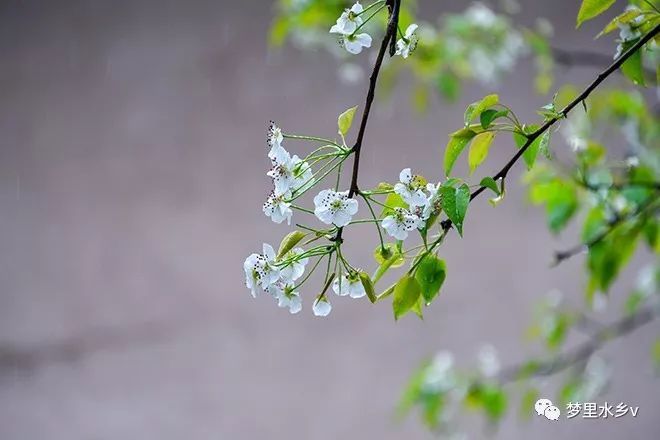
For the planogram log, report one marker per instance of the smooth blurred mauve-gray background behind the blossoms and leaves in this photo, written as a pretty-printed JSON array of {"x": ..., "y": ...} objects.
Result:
[{"x": 131, "y": 180}]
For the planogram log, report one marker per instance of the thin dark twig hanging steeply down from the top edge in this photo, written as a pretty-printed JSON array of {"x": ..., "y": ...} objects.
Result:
[{"x": 390, "y": 34}]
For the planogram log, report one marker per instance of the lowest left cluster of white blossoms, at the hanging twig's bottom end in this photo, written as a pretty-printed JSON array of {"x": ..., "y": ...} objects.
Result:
[{"x": 263, "y": 274}]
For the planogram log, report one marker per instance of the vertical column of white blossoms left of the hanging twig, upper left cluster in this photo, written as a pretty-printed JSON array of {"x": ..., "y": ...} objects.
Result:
[{"x": 289, "y": 174}]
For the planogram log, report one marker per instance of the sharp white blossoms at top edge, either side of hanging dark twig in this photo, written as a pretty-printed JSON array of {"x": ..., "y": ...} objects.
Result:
[{"x": 350, "y": 22}]
